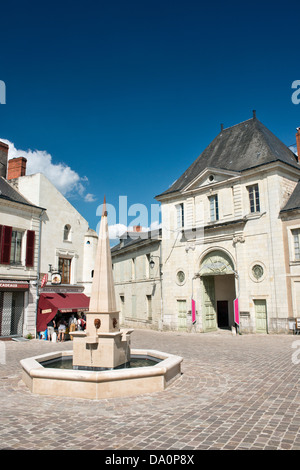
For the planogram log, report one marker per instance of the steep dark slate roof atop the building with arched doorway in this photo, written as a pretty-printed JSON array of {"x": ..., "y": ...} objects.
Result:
[{"x": 238, "y": 148}]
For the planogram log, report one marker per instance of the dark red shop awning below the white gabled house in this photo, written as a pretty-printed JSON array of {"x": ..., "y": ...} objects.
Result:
[{"x": 50, "y": 303}]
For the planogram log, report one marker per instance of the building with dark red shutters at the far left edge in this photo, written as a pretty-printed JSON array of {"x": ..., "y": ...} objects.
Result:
[{"x": 20, "y": 228}]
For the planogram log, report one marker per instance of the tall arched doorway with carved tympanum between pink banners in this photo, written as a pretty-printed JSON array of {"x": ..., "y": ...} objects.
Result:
[{"x": 217, "y": 275}]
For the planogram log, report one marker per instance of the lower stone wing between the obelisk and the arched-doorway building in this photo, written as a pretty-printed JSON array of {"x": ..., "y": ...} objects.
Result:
[{"x": 137, "y": 276}]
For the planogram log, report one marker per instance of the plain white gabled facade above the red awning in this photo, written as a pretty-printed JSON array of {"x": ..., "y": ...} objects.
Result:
[{"x": 68, "y": 244}]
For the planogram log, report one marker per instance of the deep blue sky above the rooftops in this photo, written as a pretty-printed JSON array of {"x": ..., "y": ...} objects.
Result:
[{"x": 121, "y": 97}]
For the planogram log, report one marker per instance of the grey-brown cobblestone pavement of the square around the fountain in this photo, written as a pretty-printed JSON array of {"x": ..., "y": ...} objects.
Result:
[{"x": 235, "y": 392}]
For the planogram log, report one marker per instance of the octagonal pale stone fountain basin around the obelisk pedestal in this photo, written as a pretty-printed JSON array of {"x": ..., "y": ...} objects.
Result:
[{"x": 159, "y": 371}]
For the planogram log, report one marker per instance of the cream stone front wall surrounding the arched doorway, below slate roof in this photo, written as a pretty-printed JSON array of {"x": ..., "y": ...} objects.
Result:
[{"x": 260, "y": 241}]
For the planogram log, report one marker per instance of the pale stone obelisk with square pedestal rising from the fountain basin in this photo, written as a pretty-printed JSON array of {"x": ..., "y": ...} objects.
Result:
[{"x": 102, "y": 345}]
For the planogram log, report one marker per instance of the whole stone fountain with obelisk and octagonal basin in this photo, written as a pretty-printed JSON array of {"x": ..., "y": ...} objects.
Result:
[{"x": 101, "y": 354}]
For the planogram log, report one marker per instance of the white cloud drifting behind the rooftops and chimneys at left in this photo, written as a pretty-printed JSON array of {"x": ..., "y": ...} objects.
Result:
[{"x": 66, "y": 180}]
